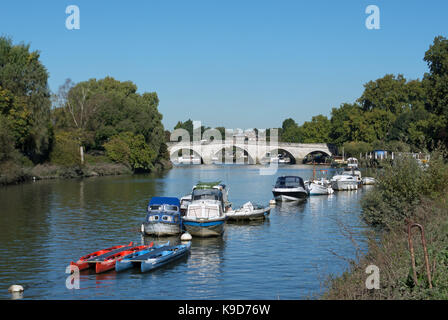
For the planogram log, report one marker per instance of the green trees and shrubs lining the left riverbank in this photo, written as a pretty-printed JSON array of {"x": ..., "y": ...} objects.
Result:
[{"x": 94, "y": 127}]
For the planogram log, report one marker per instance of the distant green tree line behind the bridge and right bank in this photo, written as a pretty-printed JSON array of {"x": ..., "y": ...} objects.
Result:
[{"x": 392, "y": 113}]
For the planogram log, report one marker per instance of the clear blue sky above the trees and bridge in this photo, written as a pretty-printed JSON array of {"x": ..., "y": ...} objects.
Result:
[{"x": 240, "y": 64}]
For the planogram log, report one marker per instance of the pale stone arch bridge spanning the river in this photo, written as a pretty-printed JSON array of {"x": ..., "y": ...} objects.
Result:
[{"x": 255, "y": 151}]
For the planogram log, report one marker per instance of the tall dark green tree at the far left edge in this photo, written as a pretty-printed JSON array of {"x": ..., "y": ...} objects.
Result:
[{"x": 25, "y": 99}]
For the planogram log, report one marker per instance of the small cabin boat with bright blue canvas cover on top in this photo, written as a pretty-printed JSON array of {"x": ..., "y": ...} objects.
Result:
[{"x": 163, "y": 217}]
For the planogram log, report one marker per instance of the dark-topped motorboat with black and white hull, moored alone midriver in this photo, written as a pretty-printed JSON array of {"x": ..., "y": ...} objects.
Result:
[{"x": 289, "y": 188}]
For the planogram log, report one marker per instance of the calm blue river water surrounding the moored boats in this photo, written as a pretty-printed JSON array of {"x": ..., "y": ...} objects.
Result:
[{"x": 46, "y": 224}]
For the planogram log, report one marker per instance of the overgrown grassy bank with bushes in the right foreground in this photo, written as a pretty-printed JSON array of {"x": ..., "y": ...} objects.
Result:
[{"x": 406, "y": 193}]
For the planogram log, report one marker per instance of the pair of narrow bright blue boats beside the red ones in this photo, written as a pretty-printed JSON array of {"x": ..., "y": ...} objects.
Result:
[{"x": 154, "y": 258}]
